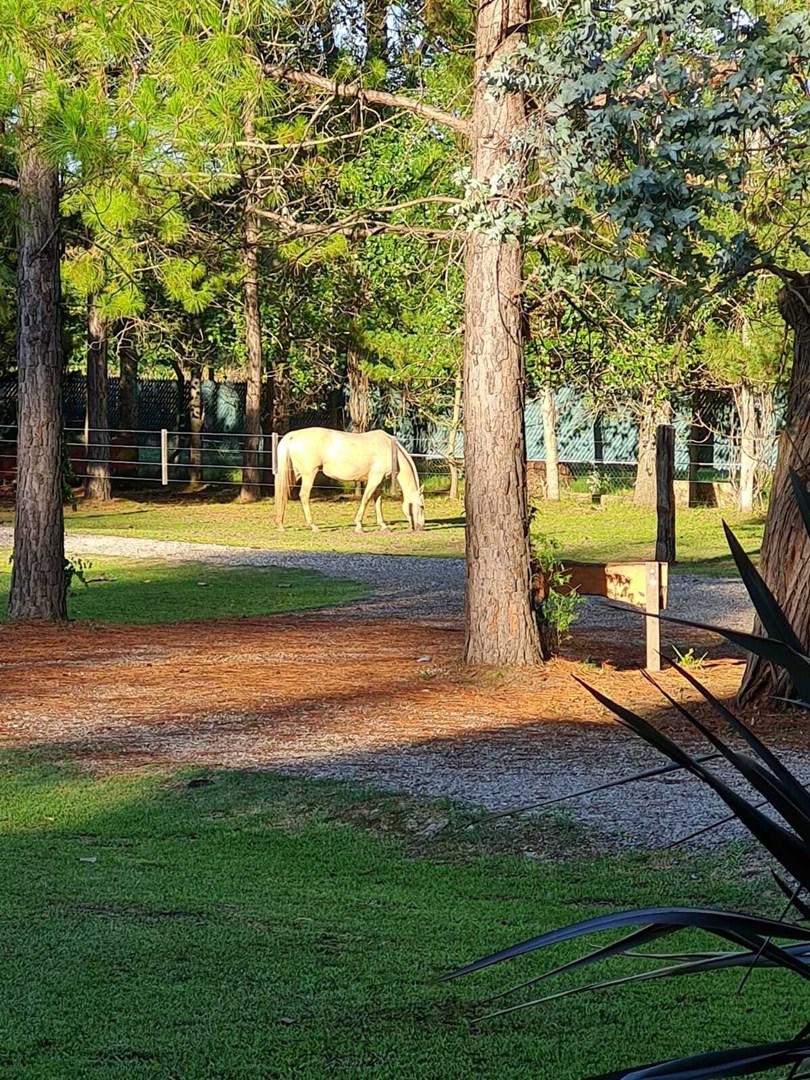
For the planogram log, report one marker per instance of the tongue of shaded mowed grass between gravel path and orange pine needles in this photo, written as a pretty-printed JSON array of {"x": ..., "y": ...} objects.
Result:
[{"x": 146, "y": 591}]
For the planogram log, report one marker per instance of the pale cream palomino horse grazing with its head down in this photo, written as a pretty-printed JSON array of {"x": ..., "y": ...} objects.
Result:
[{"x": 370, "y": 456}]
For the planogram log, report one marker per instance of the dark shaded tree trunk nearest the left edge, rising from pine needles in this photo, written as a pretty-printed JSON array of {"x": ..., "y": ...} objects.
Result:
[{"x": 38, "y": 569}]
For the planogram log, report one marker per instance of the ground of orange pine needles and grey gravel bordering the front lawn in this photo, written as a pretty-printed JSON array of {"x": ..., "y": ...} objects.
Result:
[{"x": 380, "y": 703}]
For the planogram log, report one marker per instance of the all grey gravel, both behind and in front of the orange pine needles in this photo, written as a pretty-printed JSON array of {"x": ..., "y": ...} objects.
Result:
[{"x": 492, "y": 769}]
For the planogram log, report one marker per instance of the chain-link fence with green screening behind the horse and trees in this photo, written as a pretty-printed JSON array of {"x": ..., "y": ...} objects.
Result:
[{"x": 598, "y": 453}]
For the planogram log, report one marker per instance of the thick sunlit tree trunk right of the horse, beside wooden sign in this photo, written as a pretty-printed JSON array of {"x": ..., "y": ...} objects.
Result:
[{"x": 501, "y": 626}]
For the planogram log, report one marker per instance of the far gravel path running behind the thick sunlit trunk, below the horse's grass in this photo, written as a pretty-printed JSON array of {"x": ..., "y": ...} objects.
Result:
[{"x": 412, "y": 587}]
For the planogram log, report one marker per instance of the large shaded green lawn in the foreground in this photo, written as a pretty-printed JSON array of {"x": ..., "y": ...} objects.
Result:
[{"x": 239, "y": 925}]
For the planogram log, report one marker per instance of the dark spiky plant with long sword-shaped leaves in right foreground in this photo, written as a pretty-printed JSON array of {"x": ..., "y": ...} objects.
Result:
[{"x": 754, "y": 942}]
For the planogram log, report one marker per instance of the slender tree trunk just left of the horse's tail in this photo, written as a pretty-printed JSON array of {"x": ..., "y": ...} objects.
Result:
[{"x": 251, "y": 466}]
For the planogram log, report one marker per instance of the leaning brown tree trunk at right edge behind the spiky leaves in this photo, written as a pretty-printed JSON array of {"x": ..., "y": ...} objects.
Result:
[{"x": 785, "y": 561}]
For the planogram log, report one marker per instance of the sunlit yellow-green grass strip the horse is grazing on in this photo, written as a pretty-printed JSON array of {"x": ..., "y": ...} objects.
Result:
[{"x": 585, "y": 533}]
